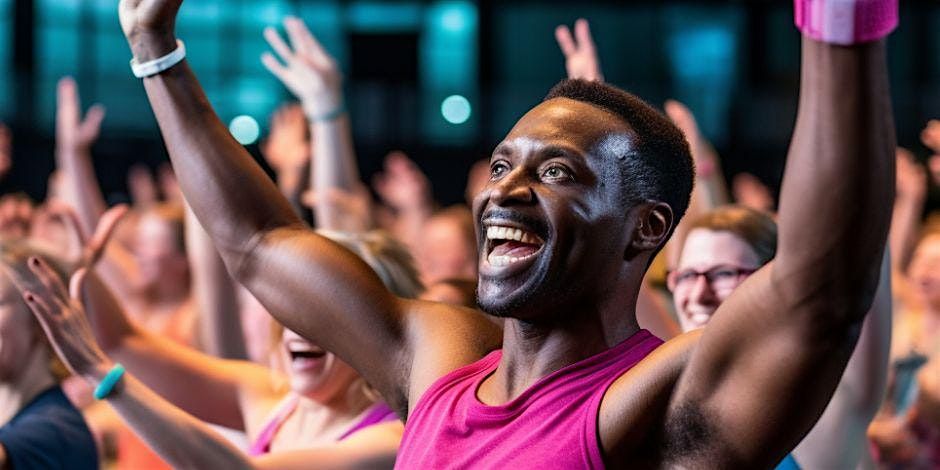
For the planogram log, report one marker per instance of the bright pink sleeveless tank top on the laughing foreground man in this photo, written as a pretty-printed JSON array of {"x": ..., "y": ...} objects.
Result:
[{"x": 553, "y": 424}]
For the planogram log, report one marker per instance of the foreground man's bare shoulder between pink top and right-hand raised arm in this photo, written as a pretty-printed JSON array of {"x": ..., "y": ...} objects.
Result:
[{"x": 634, "y": 408}]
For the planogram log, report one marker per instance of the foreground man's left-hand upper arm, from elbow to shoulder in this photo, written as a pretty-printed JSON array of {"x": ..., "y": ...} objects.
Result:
[{"x": 327, "y": 294}]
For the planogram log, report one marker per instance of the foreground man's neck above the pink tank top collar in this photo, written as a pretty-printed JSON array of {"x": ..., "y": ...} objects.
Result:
[{"x": 531, "y": 352}]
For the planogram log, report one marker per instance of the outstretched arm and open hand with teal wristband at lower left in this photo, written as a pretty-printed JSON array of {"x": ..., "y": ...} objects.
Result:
[{"x": 180, "y": 439}]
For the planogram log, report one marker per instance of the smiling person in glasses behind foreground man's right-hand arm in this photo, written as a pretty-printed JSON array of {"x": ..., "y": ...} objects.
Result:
[{"x": 725, "y": 246}]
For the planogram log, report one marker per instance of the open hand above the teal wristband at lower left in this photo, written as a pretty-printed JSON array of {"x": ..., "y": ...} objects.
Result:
[{"x": 62, "y": 317}]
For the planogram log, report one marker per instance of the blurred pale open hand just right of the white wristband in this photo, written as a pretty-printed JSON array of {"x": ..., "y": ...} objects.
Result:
[{"x": 308, "y": 71}]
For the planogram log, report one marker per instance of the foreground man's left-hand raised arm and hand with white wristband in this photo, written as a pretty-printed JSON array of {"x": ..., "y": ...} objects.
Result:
[{"x": 307, "y": 282}]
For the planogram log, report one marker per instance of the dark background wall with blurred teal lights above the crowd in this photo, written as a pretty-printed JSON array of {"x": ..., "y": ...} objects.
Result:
[{"x": 734, "y": 63}]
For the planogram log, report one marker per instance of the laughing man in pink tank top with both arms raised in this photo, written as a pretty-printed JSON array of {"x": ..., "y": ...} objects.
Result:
[{"x": 583, "y": 192}]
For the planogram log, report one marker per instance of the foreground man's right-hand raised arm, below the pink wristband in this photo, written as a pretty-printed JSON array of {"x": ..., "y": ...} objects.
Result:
[{"x": 771, "y": 357}]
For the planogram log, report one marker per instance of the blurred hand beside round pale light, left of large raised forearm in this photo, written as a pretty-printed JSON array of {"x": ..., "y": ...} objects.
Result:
[{"x": 287, "y": 148}]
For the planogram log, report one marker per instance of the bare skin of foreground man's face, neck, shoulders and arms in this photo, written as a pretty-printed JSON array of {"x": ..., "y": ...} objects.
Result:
[{"x": 801, "y": 313}]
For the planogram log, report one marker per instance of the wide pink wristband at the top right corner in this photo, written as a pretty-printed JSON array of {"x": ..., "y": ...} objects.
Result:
[{"x": 846, "y": 21}]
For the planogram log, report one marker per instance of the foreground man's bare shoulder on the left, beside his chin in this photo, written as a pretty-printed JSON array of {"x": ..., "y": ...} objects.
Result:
[{"x": 444, "y": 338}]
